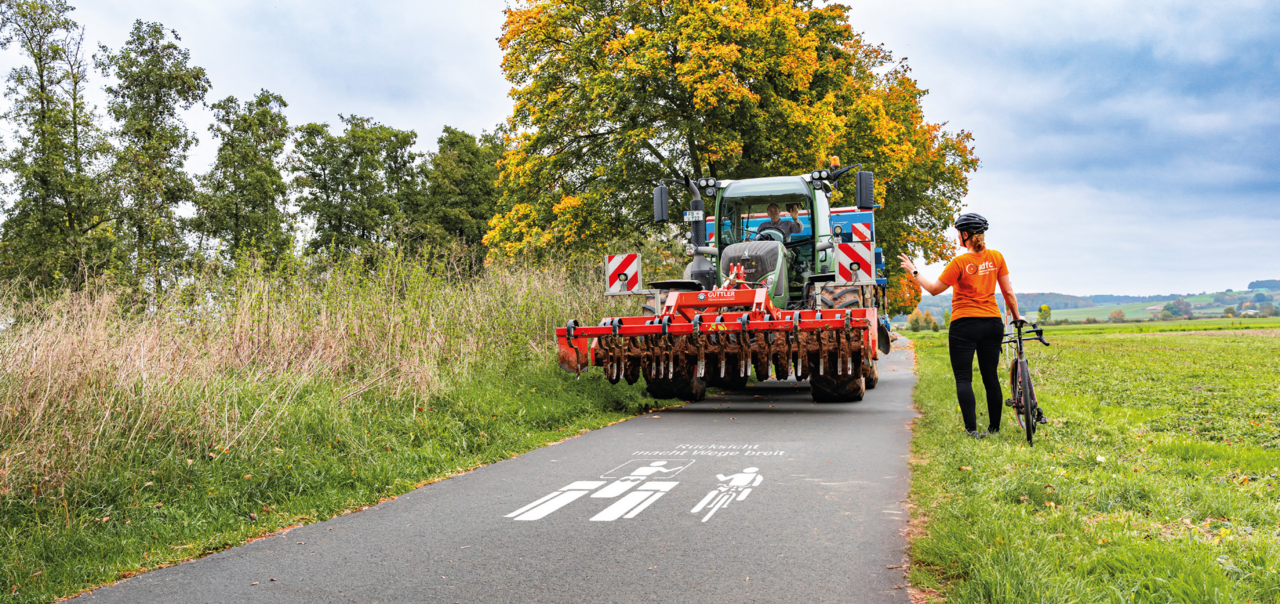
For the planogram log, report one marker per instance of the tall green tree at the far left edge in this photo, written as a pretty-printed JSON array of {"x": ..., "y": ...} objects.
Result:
[{"x": 57, "y": 228}]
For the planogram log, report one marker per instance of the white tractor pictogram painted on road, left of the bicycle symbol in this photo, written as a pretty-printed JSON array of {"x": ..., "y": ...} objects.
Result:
[{"x": 632, "y": 475}]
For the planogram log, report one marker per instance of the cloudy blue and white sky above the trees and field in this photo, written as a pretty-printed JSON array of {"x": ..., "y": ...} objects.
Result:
[{"x": 1127, "y": 148}]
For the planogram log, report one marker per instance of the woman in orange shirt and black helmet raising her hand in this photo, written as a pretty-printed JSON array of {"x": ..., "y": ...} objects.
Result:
[{"x": 976, "y": 324}]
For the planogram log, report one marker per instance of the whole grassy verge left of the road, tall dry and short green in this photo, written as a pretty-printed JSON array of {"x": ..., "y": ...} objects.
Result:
[{"x": 246, "y": 404}]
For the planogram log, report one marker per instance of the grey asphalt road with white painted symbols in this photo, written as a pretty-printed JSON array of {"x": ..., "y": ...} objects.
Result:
[{"x": 761, "y": 496}]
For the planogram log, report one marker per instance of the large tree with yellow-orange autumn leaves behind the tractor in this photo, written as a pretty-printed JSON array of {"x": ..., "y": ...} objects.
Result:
[{"x": 611, "y": 97}]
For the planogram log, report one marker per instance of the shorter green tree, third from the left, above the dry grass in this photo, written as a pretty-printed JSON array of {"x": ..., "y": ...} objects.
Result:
[{"x": 244, "y": 203}]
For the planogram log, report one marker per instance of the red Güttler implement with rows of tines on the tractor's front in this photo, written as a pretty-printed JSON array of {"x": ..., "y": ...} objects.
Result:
[{"x": 715, "y": 338}]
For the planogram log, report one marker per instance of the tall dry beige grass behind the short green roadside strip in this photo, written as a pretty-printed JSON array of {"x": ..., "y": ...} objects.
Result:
[{"x": 217, "y": 363}]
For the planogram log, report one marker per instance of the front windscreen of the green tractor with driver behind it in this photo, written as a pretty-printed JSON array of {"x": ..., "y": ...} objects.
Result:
[{"x": 748, "y": 208}]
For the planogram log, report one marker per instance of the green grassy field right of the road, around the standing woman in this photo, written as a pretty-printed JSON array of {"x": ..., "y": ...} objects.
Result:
[{"x": 1156, "y": 481}]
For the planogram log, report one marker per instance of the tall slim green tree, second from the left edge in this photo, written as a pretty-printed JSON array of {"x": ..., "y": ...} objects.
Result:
[{"x": 154, "y": 83}]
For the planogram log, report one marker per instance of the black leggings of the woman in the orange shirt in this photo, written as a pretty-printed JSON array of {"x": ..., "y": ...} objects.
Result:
[{"x": 982, "y": 336}]
